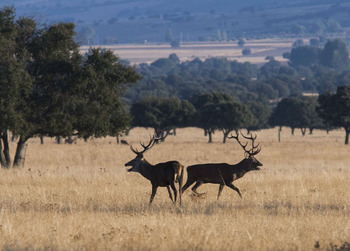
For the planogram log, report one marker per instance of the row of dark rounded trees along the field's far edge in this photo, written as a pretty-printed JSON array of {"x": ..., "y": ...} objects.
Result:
[{"x": 221, "y": 112}]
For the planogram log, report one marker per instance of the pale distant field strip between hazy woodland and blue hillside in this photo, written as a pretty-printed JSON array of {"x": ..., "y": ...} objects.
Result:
[{"x": 148, "y": 53}]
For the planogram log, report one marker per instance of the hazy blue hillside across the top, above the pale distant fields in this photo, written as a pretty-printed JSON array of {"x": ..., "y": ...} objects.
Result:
[{"x": 140, "y": 21}]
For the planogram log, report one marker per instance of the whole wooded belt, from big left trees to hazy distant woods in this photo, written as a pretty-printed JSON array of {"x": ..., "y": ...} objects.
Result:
[{"x": 67, "y": 94}]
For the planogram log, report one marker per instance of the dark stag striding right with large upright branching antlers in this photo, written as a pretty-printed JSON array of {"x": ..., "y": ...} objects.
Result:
[{"x": 222, "y": 173}]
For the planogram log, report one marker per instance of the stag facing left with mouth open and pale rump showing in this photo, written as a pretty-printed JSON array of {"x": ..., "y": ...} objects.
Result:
[{"x": 162, "y": 174}]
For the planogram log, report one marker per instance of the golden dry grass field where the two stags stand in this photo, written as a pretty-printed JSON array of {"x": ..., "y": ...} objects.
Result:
[{"x": 80, "y": 197}]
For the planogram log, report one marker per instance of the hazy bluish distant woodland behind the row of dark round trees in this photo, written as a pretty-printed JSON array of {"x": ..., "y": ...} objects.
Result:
[{"x": 310, "y": 69}]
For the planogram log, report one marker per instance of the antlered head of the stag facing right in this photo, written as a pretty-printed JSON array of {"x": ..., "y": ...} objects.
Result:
[{"x": 250, "y": 162}]
